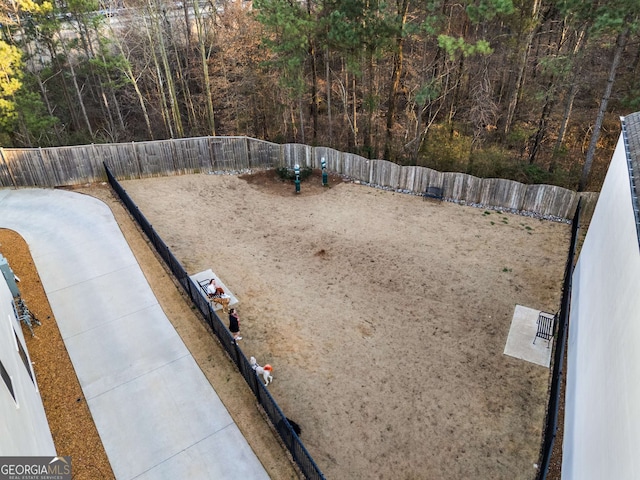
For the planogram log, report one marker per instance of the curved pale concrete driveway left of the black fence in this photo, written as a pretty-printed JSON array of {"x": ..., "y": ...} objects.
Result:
[{"x": 156, "y": 413}]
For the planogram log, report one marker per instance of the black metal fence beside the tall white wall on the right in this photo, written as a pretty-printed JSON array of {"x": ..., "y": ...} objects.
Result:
[{"x": 551, "y": 426}]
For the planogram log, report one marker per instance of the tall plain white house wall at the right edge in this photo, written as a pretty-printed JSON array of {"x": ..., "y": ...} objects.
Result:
[{"x": 602, "y": 402}]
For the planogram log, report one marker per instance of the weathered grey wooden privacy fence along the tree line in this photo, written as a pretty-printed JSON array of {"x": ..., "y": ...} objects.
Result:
[{"x": 65, "y": 166}]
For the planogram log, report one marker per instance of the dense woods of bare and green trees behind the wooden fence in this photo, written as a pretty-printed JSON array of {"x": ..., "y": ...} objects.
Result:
[{"x": 528, "y": 90}]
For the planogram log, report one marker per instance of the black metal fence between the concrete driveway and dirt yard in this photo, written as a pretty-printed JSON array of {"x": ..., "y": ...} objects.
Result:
[{"x": 278, "y": 419}]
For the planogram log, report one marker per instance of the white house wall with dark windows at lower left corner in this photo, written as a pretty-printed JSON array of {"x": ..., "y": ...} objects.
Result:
[{"x": 24, "y": 430}]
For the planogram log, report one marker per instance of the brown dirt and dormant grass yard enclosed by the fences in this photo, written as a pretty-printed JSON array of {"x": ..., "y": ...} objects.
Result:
[{"x": 383, "y": 315}]
